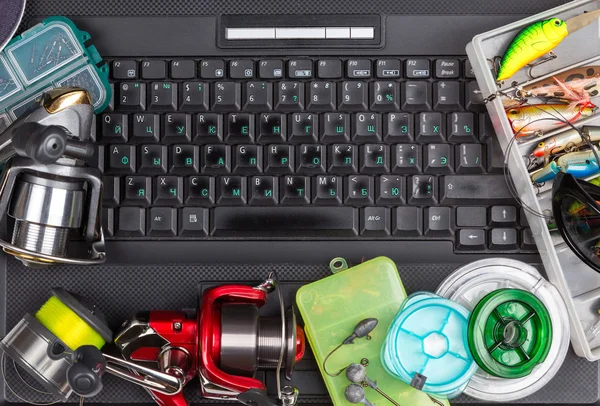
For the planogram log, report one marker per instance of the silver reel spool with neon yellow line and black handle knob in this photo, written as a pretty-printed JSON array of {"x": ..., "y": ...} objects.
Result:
[{"x": 44, "y": 344}]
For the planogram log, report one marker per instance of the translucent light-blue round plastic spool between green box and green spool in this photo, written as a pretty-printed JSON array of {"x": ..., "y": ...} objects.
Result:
[{"x": 429, "y": 337}]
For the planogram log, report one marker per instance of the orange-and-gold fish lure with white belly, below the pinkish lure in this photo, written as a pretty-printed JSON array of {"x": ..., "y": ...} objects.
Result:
[{"x": 540, "y": 118}]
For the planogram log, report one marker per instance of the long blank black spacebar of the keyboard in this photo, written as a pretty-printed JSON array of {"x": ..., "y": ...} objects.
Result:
[{"x": 285, "y": 222}]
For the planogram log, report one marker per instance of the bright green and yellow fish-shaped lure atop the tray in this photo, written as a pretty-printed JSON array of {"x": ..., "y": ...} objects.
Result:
[{"x": 531, "y": 43}]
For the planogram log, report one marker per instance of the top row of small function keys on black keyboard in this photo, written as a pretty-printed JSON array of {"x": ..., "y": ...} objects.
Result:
[{"x": 359, "y": 68}]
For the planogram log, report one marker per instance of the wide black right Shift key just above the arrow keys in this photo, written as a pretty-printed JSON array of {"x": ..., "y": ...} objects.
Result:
[{"x": 475, "y": 190}]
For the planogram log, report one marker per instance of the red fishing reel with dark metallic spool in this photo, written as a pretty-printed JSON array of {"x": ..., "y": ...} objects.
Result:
[{"x": 225, "y": 343}]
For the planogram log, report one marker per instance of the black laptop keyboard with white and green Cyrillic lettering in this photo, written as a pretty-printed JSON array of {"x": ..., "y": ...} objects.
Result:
[{"x": 325, "y": 148}]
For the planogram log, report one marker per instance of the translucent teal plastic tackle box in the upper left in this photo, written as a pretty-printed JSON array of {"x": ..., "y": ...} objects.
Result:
[{"x": 48, "y": 55}]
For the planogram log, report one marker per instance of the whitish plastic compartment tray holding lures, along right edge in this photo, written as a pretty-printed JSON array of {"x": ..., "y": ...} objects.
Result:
[{"x": 578, "y": 284}]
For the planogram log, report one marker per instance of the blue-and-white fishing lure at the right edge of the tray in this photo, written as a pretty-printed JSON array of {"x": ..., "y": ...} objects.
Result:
[{"x": 579, "y": 164}]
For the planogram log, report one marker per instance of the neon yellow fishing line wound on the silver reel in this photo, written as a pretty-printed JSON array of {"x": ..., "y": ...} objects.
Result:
[{"x": 65, "y": 324}]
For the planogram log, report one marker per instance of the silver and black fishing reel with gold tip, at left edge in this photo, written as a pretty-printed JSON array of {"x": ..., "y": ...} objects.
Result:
[{"x": 46, "y": 186}]
